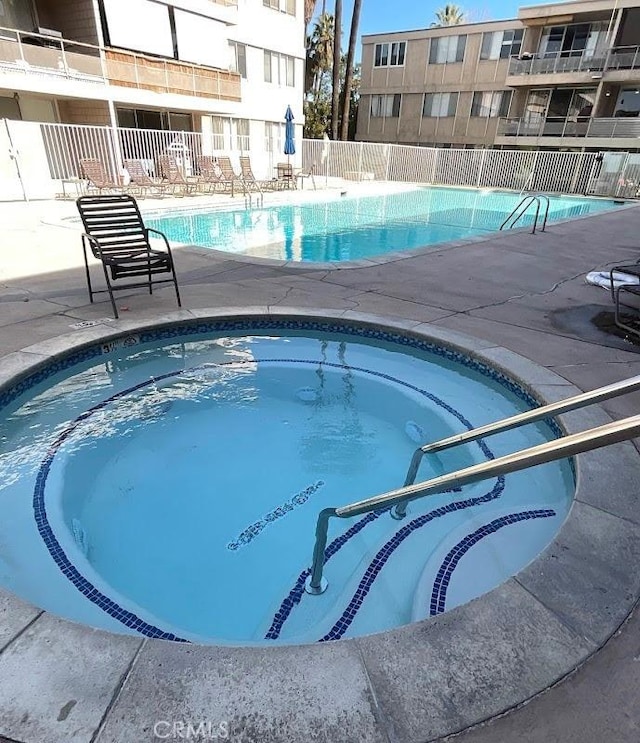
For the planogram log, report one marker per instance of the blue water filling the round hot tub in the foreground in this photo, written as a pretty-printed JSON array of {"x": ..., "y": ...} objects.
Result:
[{"x": 169, "y": 486}]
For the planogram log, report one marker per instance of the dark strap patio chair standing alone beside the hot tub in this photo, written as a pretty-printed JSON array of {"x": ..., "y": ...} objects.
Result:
[{"x": 118, "y": 238}]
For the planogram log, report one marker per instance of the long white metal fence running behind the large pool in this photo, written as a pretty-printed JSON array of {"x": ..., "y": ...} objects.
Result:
[{"x": 42, "y": 160}]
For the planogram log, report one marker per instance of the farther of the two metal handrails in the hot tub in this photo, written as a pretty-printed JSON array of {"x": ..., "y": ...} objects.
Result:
[{"x": 584, "y": 399}]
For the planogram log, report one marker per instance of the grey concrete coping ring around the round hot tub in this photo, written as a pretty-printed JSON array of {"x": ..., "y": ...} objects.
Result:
[{"x": 416, "y": 683}]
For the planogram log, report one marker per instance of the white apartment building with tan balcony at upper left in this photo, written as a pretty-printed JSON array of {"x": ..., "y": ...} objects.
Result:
[{"x": 228, "y": 68}]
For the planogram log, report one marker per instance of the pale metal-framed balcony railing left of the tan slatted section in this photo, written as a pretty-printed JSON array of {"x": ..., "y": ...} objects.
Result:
[{"x": 37, "y": 54}]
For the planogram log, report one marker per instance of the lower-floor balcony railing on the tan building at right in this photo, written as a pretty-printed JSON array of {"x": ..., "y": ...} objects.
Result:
[{"x": 575, "y": 126}]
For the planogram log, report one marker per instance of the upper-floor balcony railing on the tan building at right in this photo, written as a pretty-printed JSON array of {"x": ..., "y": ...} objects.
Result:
[{"x": 616, "y": 58}]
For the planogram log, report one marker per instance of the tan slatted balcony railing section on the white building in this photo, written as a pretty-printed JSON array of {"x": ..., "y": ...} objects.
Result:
[{"x": 132, "y": 70}]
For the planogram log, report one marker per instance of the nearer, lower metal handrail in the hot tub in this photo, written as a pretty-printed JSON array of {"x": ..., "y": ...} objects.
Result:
[{"x": 577, "y": 443}]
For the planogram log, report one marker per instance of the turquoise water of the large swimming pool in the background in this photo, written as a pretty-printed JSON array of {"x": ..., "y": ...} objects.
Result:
[{"x": 347, "y": 228}]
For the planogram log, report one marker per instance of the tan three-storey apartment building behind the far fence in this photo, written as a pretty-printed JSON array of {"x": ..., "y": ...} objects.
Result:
[{"x": 560, "y": 76}]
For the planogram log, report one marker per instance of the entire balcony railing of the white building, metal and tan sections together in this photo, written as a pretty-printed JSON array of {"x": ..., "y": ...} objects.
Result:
[{"x": 37, "y": 54}]
